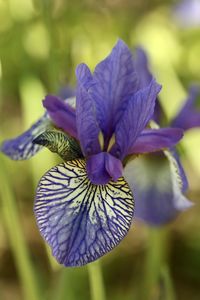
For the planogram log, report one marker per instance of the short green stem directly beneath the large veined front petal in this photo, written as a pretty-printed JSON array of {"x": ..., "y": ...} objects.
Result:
[{"x": 96, "y": 281}]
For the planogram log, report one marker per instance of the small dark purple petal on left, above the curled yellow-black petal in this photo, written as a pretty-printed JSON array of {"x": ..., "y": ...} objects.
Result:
[{"x": 61, "y": 113}]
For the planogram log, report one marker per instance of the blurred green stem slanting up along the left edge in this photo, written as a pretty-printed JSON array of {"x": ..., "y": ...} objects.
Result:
[{"x": 15, "y": 235}]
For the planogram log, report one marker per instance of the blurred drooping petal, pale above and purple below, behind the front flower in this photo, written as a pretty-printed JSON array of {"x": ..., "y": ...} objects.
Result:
[{"x": 157, "y": 184}]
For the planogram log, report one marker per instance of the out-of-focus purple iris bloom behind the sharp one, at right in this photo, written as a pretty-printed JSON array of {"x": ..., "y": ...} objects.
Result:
[{"x": 158, "y": 179}]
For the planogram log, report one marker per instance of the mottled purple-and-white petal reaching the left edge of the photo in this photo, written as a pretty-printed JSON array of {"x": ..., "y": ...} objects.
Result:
[{"x": 22, "y": 147}]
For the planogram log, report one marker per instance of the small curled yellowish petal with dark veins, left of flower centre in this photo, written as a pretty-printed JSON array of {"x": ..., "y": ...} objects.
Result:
[{"x": 59, "y": 142}]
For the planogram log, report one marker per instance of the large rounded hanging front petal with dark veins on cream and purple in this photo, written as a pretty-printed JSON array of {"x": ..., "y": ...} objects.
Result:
[{"x": 79, "y": 220}]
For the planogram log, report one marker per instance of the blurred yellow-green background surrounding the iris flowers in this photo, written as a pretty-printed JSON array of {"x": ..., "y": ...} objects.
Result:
[{"x": 41, "y": 42}]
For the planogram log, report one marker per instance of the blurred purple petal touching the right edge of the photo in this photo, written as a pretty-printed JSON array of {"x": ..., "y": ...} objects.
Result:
[{"x": 189, "y": 116}]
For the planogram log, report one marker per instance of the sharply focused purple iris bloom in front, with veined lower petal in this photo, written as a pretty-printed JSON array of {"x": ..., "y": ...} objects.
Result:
[{"x": 84, "y": 206}]
